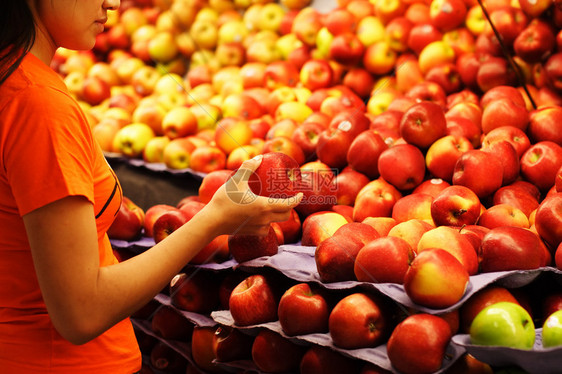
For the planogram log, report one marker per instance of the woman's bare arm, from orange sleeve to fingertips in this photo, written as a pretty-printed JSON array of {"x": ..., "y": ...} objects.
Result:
[{"x": 84, "y": 300}]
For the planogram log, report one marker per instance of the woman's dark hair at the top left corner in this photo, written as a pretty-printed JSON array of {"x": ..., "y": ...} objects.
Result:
[{"x": 17, "y": 35}]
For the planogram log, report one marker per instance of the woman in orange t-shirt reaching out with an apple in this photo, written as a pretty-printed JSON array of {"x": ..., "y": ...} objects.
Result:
[{"x": 64, "y": 299}]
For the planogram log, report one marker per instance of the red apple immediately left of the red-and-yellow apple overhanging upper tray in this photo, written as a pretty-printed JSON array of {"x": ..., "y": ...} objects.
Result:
[{"x": 384, "y": 259}]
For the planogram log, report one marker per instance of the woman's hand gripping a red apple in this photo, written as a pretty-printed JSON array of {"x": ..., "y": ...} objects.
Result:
[{"x": 235, "y": 209}]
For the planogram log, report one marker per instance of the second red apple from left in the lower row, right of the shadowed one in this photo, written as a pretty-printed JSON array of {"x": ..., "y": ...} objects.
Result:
[{"x": 254, "y": 290}]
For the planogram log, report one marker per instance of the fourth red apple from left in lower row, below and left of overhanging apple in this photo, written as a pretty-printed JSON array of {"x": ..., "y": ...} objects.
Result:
[{"x": 359, "y": 320}]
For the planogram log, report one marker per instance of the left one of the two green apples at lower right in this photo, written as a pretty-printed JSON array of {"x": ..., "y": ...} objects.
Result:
[{"x": 503, "y": 324}]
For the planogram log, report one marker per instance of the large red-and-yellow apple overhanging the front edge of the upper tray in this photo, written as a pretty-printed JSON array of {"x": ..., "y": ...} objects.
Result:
[{"x": 436, "y": 279}]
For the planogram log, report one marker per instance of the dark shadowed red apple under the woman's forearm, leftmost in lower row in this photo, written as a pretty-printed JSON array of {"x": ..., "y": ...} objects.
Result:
[{"x": 195, "y": 291}]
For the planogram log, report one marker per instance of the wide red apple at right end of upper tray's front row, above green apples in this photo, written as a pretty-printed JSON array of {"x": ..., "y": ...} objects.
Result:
[{"x": 510, "y": 248}]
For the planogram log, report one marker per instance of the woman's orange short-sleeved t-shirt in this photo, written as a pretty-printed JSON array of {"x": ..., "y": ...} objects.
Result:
[{"x": 47, "y": 152}]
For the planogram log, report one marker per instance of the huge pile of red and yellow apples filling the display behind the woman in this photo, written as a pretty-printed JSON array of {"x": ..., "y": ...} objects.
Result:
[{"x": 422, "y": 142}]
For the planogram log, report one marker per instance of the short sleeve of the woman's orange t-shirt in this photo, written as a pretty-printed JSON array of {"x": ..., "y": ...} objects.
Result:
[{"x": 49, "y": 150}]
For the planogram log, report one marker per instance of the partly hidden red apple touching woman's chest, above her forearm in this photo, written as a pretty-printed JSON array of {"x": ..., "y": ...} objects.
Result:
[{"x": 128, "y": 222}]
